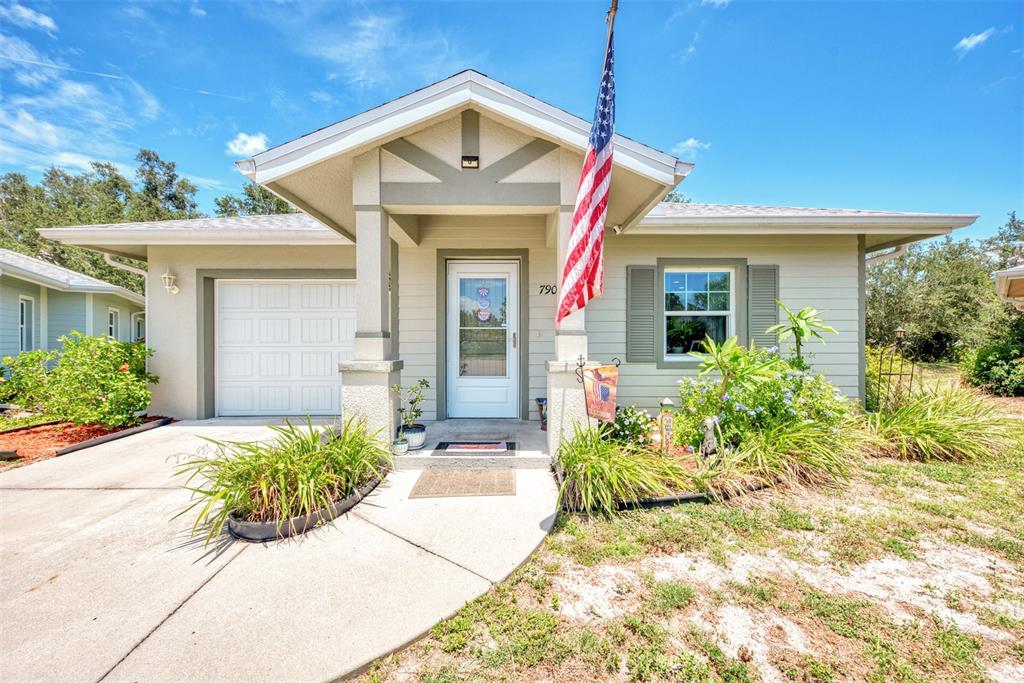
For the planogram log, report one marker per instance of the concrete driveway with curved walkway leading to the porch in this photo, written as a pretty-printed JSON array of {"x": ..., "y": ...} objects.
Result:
[{"x": 98, "y": 583}]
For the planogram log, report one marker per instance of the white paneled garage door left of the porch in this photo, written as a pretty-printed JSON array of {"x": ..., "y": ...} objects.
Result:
[{"x": 279, "y": 344}]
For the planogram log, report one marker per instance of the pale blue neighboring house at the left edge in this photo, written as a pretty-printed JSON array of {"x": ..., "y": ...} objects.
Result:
[{"x": 41, "y": 303}]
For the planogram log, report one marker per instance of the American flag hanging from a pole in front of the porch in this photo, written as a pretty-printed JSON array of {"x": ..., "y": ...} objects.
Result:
[{"x": 583, "y": 275}]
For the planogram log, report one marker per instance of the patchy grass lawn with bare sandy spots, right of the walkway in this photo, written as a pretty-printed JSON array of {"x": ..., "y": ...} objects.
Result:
[{"x": 913, "y": 573}]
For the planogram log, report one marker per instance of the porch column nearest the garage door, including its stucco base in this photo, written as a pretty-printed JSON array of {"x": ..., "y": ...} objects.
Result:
[{"x": 367, "y": 380}]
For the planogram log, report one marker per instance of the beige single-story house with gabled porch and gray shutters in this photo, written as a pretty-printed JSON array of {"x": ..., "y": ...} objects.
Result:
[{"x": 430, "y": 245}]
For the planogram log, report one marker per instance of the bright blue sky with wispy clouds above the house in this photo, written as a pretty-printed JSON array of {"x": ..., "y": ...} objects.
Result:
[{"x": 895, "y": 106}]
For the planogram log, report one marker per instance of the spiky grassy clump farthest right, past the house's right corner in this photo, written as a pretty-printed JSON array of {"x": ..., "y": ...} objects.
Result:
[{"x": 946, "y": 423}]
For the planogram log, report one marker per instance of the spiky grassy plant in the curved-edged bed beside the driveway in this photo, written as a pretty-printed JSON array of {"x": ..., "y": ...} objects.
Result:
[{"x": 302, "y": 472}]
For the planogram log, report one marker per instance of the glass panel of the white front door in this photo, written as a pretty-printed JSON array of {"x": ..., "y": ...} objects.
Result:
[{"x": 483, "y": 327}]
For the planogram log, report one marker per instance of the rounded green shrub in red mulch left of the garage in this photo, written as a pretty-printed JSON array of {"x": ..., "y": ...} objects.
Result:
[{"x": 99, "y": 380}]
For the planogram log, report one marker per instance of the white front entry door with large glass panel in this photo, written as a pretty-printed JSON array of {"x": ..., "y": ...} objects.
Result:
[{"x": 483, "y": 348}]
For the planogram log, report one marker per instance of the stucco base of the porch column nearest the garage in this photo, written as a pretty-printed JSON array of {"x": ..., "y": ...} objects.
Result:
[{"x": 366, "y": 395}]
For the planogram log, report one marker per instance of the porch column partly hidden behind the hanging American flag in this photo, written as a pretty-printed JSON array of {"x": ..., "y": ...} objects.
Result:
[{"x": 567, "y": 406}]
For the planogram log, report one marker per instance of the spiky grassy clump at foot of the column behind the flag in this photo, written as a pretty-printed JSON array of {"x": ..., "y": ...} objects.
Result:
[{"x": 598, "y": 474}]
